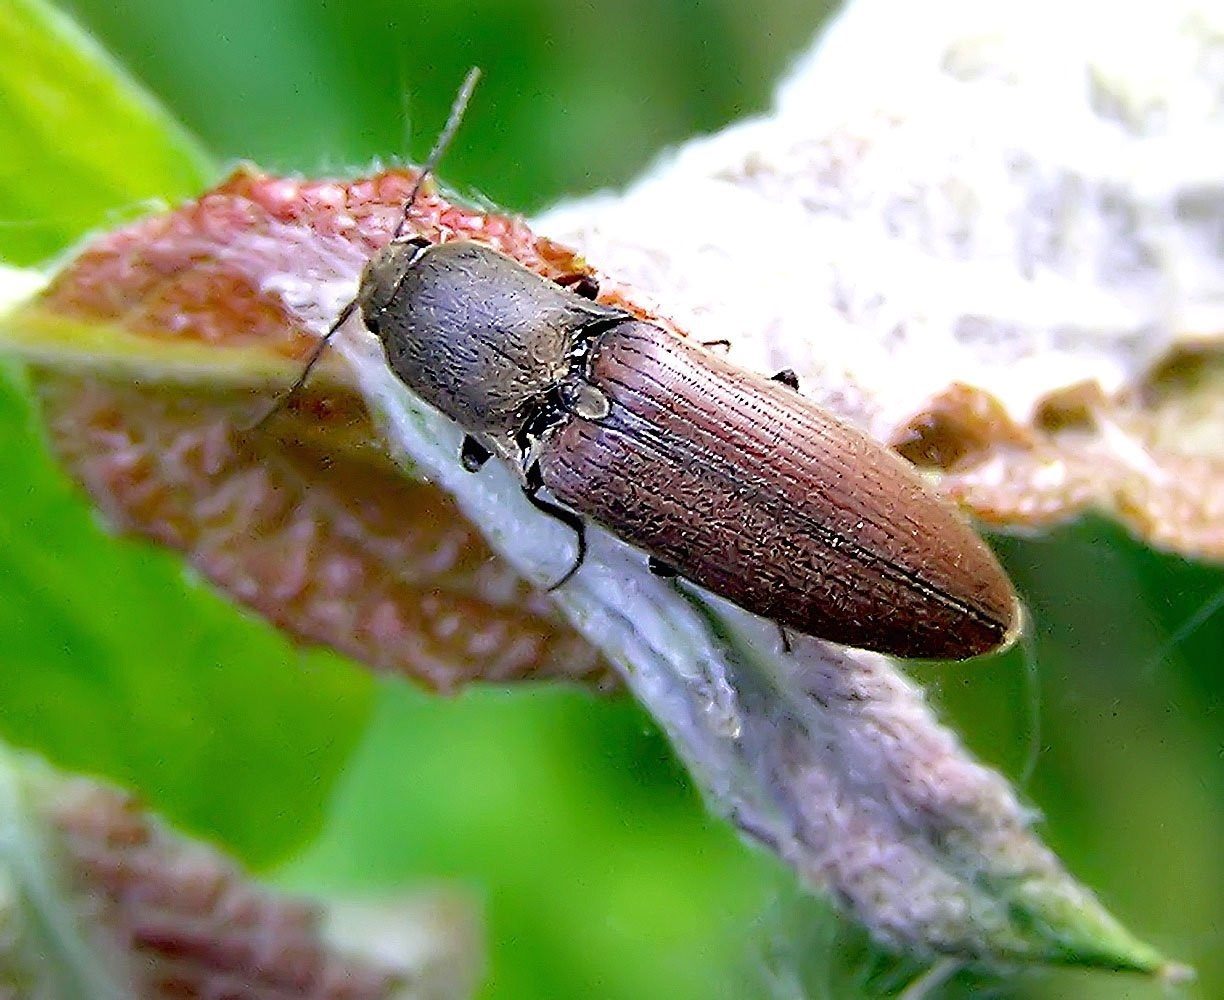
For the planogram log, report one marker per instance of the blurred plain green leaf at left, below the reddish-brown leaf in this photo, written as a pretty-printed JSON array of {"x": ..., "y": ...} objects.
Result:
[{"x": 116, "y": 663}]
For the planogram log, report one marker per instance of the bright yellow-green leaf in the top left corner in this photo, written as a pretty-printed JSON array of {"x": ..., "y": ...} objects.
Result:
[{"x": 84, "y": 145}]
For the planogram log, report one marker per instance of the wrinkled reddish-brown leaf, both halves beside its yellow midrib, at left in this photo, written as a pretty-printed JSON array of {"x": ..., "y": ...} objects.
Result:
[{"x": 307, "y": 521}]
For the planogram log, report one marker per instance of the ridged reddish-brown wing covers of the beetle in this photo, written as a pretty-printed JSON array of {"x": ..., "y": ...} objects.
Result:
[{"x": 761, "y": 496}]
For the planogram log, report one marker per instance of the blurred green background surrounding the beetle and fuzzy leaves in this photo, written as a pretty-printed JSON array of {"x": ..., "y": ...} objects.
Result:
[{"x": 600, "y": 875}]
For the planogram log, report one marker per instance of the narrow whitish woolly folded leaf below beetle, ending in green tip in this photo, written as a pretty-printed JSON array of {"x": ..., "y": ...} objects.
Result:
[{"x": 828, "y": 757}]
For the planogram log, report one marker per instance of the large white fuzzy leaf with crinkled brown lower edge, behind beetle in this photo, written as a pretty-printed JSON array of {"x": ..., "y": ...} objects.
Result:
[{"x": 991, "y": 233}]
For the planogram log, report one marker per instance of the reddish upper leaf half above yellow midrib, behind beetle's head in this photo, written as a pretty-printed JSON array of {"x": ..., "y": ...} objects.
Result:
[{"x": 200, "y": 274}]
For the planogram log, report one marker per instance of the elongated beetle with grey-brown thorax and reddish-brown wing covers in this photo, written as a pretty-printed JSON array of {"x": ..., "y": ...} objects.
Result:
[{"x": 736, "y": 482}]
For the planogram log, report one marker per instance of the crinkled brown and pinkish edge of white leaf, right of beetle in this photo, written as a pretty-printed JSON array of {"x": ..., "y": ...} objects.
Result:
[{"x": 1151, "y": 458}]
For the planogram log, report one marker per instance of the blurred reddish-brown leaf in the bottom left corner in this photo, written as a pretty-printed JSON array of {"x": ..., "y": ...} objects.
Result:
[{"x": 163, "y": 917}]
